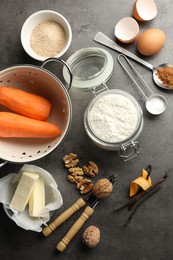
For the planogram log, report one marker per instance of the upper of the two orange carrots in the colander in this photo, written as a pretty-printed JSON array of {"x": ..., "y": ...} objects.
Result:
[{"x": 25, "y": 103}]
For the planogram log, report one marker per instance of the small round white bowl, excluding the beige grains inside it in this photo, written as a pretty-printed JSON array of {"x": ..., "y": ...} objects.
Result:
[{"x": 33, "y": 21}]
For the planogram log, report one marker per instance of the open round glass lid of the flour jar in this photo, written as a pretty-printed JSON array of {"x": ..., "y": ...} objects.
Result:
[{"x": 90, "y": 67}]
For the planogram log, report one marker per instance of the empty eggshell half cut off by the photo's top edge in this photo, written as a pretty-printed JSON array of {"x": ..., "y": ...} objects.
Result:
[{"x": 144, "y": 10}]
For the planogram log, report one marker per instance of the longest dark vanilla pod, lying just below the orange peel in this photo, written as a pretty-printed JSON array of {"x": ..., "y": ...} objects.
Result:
[{"x": 143, "y": 193}]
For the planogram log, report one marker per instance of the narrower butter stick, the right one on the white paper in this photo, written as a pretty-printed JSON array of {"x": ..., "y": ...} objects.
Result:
[{"x": 37, "y": 199}]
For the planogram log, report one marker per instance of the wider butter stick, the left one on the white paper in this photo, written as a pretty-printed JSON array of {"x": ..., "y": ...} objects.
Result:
[{"x": 23, "y": 191}]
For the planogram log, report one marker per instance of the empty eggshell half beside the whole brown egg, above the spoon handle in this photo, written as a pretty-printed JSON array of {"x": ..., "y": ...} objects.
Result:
[{"x": 126, "y": 30}]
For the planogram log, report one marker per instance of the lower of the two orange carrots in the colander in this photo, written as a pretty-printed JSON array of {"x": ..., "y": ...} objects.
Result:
[{"x": 14, "y": 125}]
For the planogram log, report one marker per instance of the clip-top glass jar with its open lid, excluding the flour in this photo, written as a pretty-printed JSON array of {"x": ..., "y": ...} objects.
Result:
[{"x": 91, "y": 69}]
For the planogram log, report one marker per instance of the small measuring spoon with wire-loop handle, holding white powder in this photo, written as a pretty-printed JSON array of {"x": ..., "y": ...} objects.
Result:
[{"x": 155, "y": 103}]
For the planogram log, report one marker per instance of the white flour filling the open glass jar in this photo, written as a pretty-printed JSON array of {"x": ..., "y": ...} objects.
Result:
[{"x": 113, "y": 118}]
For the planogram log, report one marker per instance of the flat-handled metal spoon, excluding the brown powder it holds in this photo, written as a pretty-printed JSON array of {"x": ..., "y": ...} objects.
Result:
[{"x": 104, "y": 40}]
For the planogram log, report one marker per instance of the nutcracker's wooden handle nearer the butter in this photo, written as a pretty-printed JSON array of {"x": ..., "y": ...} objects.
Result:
[{"x": 63, "y": 217}]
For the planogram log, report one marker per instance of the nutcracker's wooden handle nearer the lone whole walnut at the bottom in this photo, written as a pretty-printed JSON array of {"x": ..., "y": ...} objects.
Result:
[{"x": 61, "y": 246}]
